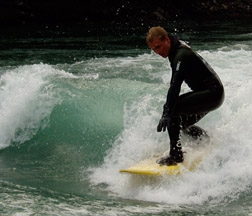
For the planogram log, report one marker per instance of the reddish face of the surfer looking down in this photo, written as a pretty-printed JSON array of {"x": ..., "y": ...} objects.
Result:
[{"x": 161, "y": 47}]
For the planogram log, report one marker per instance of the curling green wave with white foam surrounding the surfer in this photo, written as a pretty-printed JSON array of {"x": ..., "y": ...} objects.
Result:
[{"x": 99, "y": 115}]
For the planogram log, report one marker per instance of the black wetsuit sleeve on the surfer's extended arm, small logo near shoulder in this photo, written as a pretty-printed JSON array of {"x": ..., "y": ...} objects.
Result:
[{"x": 175, "y": 87}]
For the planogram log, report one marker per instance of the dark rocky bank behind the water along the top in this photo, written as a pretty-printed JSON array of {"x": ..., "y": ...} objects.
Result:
[{"x": 130, "y": 11}]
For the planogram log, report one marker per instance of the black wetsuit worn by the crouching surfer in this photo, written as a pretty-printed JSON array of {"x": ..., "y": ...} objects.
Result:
[{"x": 207, "y": 90}]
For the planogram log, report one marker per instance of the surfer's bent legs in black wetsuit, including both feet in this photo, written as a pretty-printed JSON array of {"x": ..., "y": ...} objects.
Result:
[{"x": 191, "y": 107}]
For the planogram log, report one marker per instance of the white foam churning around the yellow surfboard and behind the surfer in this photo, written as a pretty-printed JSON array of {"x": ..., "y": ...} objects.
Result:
[{"x": 226, "y": 170}]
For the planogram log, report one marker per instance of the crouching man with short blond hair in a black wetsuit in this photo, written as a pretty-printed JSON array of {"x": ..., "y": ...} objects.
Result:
[{"x": 181, "y": 112}]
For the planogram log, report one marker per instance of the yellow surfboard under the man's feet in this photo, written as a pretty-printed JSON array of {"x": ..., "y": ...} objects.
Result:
[{"x": 150, "y": 167}]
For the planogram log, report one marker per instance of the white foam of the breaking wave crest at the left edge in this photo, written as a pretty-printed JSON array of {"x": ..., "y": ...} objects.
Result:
[{"x": 26, "y": 99}]
